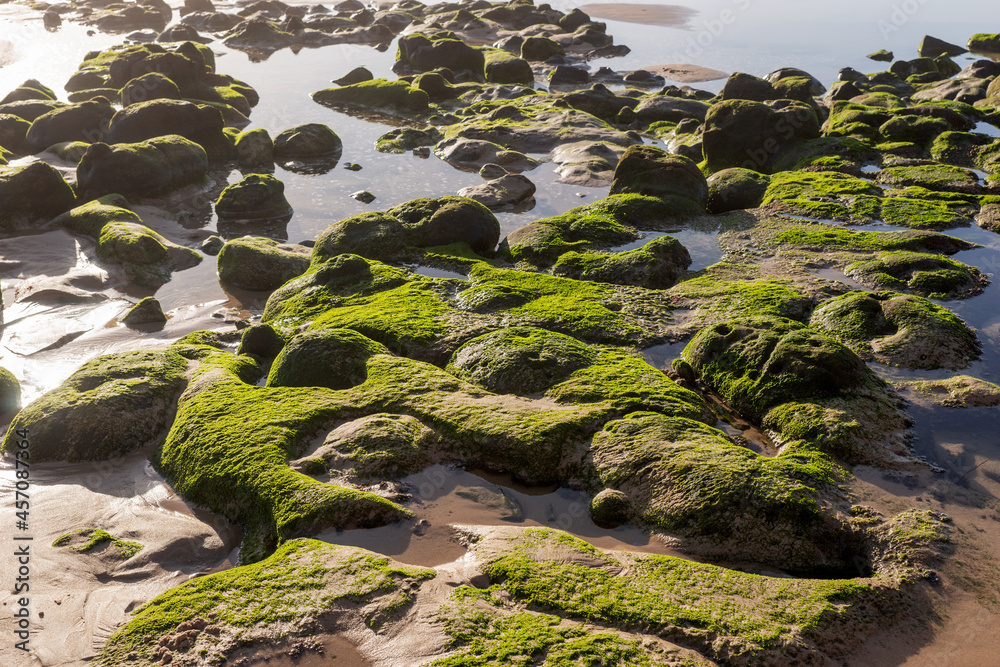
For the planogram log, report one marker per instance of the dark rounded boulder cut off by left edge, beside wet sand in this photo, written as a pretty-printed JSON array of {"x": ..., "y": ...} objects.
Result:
[{"x": 32, "y": 193}]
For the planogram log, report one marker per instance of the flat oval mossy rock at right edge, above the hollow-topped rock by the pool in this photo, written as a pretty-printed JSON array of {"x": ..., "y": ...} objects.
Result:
[{"x": 928, "y": 275}]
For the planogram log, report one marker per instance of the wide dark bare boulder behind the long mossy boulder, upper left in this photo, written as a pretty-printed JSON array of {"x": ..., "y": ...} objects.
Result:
[{"x": 200, "y": 123}]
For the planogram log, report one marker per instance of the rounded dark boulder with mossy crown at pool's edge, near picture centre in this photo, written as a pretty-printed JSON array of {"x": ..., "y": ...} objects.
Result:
[{"x": 449, "y": 219}]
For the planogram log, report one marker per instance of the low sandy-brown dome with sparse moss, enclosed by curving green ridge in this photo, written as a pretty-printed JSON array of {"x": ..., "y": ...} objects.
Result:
[{"x": 375, "y": 448}]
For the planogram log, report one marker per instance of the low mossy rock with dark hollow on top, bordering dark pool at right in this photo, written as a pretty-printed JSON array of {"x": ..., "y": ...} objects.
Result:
[{"x": 901, "y": 330}]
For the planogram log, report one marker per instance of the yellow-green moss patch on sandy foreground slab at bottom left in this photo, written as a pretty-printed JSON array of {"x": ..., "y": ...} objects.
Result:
[{"x": 302, "y": 579}]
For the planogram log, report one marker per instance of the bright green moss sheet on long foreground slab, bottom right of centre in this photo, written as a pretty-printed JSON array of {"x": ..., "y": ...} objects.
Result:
[{"x": 726, "y": 612}]
